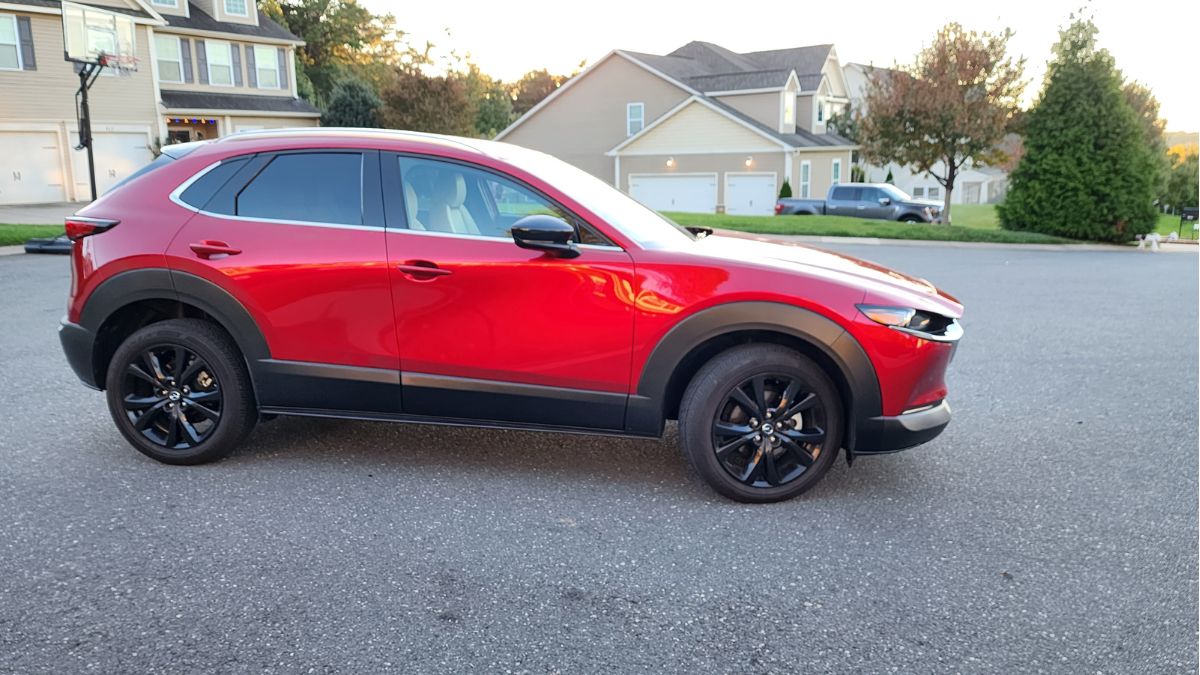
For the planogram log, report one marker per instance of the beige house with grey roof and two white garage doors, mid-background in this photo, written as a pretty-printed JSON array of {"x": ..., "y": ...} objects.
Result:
[{"x": 701, "y": 129}]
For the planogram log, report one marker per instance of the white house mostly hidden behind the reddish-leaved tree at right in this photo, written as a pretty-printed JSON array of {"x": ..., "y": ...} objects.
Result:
[{"x": 975, "y": 184}]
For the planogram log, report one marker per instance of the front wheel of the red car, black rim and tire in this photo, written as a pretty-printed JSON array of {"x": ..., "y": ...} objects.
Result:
[{"x": 800, "y": 457}]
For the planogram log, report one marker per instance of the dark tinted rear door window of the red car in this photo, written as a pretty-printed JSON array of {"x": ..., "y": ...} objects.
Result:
[{"x": 323, "y": 188}]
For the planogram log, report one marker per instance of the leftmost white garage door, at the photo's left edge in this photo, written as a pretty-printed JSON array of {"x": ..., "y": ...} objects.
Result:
[{"x": 31, "y": 172}]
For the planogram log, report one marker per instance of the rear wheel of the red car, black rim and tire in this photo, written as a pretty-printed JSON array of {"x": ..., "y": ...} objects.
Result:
[{"x": 184, "y": 415}]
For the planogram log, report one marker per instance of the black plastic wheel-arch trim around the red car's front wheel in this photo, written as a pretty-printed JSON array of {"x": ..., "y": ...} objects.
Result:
[{"x": 857, "y": 375}]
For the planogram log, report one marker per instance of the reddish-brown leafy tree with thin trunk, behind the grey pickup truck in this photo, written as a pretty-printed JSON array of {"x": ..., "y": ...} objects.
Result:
[{"x": 952, "y": 106}]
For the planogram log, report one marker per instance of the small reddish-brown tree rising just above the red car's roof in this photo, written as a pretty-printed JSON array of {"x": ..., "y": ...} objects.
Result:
[{"x": 416, "y": 101}]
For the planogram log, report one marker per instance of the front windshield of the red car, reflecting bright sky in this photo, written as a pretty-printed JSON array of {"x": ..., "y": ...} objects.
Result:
[{"x": 645, "y": 226}]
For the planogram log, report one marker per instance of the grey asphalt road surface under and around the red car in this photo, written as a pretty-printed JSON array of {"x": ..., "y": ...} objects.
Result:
[{"x": 1053, "y": 528}]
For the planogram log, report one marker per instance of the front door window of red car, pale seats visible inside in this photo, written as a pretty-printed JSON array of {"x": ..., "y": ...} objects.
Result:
[{"x": 460, "y": 200}]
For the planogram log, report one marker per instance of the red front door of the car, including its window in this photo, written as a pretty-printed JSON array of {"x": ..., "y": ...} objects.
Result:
[{"x": 493, "y": 332}]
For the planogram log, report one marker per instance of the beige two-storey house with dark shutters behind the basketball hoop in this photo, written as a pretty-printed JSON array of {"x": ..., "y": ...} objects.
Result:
[{"x": 206, "y": 69}]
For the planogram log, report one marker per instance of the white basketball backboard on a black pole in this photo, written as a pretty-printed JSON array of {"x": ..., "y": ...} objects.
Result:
[{"x": 92, "y": 35}]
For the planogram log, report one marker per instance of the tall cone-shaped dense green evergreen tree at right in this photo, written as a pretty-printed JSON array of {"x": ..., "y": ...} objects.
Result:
[{"x": 1088, "y": 171}]
